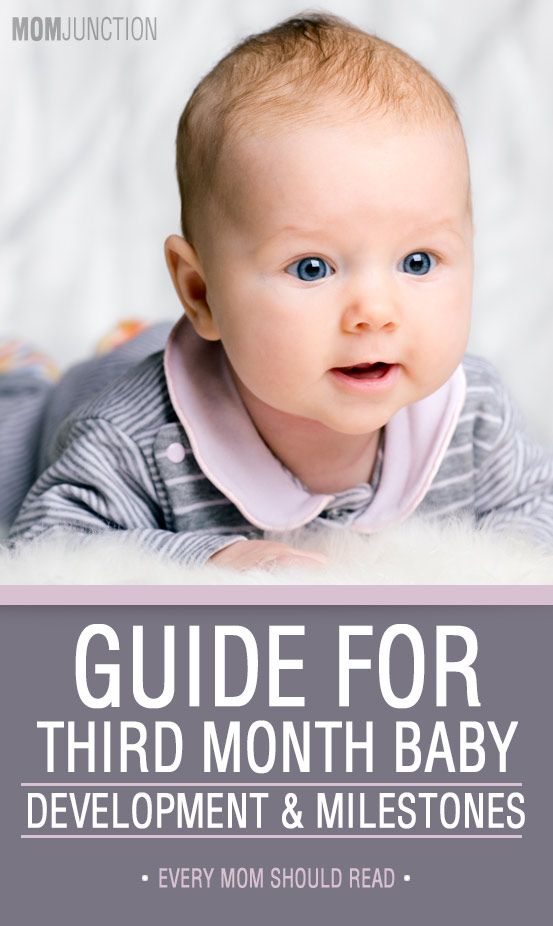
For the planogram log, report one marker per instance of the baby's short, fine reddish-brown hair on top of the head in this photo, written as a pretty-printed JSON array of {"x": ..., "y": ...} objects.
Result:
[{"x": 285, "y": 76}]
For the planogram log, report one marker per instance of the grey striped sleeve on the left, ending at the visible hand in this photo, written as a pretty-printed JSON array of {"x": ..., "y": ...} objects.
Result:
[{"x": 101, "y": 481}]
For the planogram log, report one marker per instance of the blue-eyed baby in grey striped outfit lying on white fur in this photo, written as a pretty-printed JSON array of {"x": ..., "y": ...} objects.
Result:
[{"x": 318, "y": 376}]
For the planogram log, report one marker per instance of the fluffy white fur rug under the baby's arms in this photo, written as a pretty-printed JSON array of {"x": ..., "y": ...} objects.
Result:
[{"x": 413, "y": 553}]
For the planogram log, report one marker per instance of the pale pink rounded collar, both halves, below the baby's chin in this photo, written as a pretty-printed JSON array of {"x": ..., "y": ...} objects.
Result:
[{"x": 234, "y": 458}]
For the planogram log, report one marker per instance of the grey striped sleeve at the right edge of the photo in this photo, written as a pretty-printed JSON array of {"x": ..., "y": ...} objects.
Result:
[{"x": 513, "y": 474}]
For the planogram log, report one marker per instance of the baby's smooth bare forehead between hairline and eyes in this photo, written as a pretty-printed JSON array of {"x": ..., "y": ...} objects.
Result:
[{"x": 302, "y": 176}]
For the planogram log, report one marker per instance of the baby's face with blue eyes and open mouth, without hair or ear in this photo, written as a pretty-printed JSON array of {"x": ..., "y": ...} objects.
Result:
[{"x": 338, "y": 268}]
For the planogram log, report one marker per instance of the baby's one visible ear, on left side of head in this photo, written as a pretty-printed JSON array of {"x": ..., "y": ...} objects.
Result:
[{"x": 188, "y": 280}]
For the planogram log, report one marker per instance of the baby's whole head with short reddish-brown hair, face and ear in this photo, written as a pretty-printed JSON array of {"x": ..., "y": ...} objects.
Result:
[{"x": 327, "y": 224}]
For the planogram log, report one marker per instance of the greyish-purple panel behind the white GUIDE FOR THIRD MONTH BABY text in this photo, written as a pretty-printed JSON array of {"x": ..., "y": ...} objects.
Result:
[{"x": 457, "y": 882}]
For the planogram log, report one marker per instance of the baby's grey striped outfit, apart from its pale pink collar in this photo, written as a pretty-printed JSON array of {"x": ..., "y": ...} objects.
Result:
[{"x": 124, "y": 461}]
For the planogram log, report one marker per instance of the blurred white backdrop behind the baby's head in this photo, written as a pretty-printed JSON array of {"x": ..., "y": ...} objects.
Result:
[{"x": 86, "y": 164}]
